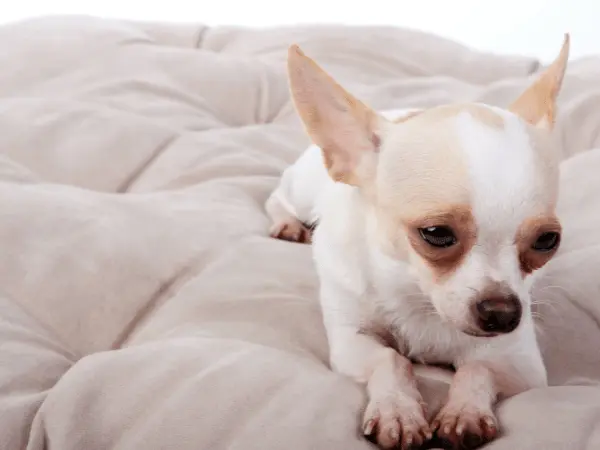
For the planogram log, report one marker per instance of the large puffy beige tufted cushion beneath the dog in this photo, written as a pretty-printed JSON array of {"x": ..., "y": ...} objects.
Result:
[{"x": 144, "y": 307}]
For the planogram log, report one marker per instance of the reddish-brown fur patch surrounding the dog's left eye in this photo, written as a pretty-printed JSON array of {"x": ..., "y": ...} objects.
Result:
[{"x": 443, "y": 261}]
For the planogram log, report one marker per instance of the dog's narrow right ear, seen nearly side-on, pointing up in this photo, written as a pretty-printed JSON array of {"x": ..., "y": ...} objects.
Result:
[{"x": 537, "y": 105}]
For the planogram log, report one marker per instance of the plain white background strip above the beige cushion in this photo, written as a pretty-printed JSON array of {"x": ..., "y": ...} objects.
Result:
[{"x": 533, "y": 27}]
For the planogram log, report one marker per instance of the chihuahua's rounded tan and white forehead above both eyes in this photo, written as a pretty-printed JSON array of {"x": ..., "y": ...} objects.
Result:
[{"x": 472, "y": 155}]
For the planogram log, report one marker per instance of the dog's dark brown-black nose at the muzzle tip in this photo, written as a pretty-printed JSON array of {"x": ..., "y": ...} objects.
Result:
[{"x": 498, "y": 314}]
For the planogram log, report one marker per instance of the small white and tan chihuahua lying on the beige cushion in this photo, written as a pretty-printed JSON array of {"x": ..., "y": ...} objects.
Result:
[{"x": 429, "y": 226}]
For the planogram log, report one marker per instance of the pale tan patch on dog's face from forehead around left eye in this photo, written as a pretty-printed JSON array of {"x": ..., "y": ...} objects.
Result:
[{"x": 422, "y": 176}]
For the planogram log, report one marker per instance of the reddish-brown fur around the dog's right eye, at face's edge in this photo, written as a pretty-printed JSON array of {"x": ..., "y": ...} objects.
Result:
[{"x": 530, "y": 259}]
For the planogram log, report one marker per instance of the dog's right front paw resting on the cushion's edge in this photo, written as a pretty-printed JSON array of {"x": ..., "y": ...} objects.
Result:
[{"x": 465, "y": 426}]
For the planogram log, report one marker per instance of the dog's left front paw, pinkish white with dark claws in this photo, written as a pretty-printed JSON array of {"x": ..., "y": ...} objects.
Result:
[{"x": 396, "y": 421}]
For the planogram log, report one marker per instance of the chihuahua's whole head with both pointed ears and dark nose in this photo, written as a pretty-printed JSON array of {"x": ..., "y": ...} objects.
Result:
[{"x": 465, "y": 193}]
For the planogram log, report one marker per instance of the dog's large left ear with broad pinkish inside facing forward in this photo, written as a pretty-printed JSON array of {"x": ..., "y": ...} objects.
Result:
[{"x": 342, "y": 126}]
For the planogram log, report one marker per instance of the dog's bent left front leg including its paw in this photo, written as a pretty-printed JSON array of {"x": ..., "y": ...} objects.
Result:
[{"x": 395, "y": 413}]
